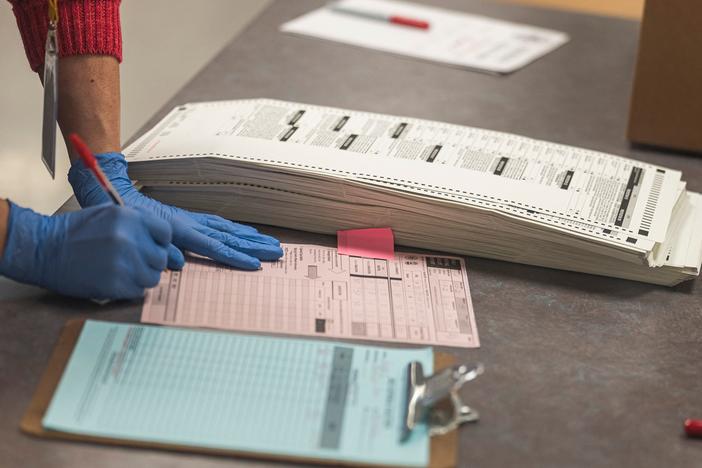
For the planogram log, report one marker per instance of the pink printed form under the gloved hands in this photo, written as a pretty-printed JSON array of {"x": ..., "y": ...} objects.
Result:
[{"x": 314, "y": 291}]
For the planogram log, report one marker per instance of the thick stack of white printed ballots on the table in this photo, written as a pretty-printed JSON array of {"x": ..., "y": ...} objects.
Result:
[{"x": 438, "y": 186}]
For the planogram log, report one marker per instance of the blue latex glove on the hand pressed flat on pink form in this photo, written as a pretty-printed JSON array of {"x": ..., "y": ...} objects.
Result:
[{"x": 230, "y": 243}]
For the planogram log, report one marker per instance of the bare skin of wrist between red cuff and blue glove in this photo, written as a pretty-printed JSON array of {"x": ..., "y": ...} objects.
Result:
[{"x": 89, "y": 105}]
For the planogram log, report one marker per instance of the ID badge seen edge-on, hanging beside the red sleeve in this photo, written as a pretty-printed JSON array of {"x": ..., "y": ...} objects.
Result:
[{"x": 48, "y": 131}]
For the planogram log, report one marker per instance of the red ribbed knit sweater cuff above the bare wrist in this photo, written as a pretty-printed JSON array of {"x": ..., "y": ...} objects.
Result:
[{"x": 86, "y": 27}]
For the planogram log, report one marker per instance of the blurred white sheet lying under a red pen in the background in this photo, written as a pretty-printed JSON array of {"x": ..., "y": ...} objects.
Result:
[{"x": 458, "y": 39}]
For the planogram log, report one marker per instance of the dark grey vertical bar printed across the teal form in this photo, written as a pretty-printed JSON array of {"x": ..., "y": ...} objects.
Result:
[{"x": 333, "y": 422}]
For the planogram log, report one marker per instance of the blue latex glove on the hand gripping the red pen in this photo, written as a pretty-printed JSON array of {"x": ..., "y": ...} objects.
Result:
[{"x": 103, "y": 252}]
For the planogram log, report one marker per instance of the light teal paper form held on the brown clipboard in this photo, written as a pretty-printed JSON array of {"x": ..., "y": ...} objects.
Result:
[{"x": 316, "y": 400}]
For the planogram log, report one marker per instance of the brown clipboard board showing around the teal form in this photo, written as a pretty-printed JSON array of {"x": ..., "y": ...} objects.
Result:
[{"x": 443, "y": 449}]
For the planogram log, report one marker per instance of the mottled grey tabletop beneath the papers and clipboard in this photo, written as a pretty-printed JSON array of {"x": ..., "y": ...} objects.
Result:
[{"x": 581, "y": 370}]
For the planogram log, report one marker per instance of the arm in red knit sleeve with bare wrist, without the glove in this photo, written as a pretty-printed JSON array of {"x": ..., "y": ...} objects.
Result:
[{"x": 88, "y": 68}]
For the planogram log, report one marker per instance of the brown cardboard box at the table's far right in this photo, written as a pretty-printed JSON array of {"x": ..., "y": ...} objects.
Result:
[{"x": 666, "y": 102}]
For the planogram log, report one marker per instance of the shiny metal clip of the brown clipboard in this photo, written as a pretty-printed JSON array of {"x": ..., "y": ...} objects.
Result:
[{"x": 434, "y": 400}]
